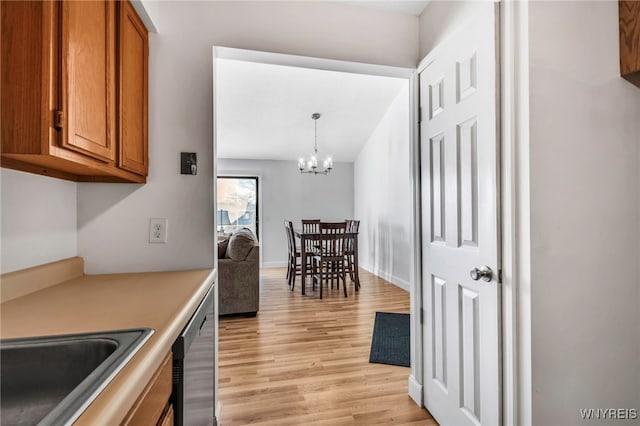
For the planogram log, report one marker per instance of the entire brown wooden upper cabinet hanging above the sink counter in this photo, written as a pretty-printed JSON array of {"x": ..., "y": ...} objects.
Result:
[{"x": 74, "y": 90}]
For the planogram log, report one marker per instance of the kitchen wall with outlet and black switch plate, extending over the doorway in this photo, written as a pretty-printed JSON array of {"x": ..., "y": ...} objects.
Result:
[{"x": 113, "y": 219}]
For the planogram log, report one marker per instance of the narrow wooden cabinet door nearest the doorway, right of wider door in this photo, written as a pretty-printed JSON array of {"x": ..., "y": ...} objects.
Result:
[{"x": 133, "y": 72}]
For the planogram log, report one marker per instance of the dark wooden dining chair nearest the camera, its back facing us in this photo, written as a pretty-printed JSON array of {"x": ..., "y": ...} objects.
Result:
[{"x": 329, "y": 260}]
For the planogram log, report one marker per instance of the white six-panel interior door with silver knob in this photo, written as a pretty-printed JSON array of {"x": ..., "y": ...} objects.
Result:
[{"x": 459, "y": 172}]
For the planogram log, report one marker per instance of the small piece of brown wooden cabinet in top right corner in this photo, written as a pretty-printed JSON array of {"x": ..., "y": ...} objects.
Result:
[{"x": 629, "y": 17}]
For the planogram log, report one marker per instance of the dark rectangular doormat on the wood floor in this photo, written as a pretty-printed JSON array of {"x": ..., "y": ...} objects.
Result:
[{"x": 390, "y": 343}]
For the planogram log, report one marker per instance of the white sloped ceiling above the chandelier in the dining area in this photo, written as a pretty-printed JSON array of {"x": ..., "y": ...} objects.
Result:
[{"x": 264, "y": 110}]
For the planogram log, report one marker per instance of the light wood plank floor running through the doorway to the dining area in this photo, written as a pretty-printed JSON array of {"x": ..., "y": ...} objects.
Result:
[{"x": 305, "y": 361}]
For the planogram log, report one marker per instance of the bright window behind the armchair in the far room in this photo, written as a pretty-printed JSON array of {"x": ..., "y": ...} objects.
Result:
[{"x": 237, "y": 204}]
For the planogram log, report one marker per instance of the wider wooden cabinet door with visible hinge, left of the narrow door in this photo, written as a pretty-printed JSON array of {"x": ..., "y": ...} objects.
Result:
[{"x": 88, "y": 77}]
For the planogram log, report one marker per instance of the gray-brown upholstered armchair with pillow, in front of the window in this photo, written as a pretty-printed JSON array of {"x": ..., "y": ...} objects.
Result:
[{"x": 239, "y": 274}]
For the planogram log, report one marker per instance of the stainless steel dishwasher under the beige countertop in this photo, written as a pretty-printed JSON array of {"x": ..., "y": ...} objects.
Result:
[{"x": 193, "y": 368}]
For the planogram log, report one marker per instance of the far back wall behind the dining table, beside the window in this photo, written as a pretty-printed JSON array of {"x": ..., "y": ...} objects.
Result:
[{"x": 285, "y": 194}]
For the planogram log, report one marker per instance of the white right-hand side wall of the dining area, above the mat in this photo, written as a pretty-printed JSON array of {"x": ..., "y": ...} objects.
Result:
[{"x": 383, "y": 195}]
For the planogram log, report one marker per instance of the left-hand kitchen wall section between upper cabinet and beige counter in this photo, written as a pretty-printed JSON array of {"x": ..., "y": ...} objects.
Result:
[{"x": 38, "y": 220}]
